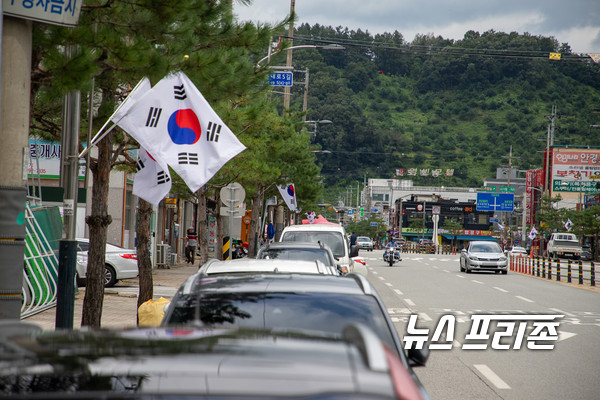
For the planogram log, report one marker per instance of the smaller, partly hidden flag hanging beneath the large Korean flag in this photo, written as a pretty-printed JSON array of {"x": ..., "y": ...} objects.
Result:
[{"x": 152, "y": 181}]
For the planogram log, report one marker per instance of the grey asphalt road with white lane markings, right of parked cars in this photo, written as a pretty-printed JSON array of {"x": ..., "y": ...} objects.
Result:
[{"x": 432, "y": 286}]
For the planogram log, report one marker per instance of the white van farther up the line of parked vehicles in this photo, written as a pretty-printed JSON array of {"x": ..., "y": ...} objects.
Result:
[{"x": 332, "y": 235}]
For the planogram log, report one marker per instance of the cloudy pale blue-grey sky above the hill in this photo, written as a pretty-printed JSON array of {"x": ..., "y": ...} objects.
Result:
[{"x": 576, "y": 22}]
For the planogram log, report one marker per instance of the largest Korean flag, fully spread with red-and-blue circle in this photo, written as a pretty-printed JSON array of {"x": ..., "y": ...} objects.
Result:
[{"x": 176, "y": 125}]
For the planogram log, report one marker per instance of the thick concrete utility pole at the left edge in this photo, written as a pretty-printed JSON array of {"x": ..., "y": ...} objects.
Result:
[{"x": 14, "y": 135}]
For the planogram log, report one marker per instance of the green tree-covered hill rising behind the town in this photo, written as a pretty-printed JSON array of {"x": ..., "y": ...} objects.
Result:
[{"x": 441, "y": 104}]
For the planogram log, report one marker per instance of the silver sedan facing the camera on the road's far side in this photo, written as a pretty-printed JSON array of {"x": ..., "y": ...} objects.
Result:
[{"x": 483, "y": 256}]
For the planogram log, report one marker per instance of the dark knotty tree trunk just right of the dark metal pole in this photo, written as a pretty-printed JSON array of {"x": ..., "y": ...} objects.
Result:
[{"x": 97, "y": 222}]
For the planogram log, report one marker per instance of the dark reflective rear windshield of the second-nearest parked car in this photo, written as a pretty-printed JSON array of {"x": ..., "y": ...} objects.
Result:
[{"x": 326, "y": 313}]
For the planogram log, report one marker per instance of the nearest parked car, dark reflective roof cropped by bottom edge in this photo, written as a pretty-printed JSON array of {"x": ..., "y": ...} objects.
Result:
[{"x": 204, "y": 363}]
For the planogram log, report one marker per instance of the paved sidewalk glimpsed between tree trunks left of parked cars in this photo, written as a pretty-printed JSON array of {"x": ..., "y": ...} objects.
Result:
[{"x": 120, "y": 301}]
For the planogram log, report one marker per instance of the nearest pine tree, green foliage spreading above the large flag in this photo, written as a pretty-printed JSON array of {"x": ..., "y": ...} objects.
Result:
[{"x": 117, "y": 43}]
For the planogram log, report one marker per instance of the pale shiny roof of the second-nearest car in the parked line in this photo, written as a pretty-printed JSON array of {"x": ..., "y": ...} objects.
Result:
[{"x": 273, "y": 282}]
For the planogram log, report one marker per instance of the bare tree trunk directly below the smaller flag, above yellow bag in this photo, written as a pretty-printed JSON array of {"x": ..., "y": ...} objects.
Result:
[{"x": 144, "y": 214}]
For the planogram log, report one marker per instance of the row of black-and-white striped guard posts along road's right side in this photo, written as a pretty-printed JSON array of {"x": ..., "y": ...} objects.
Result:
[{"x": 553, "y": 269}]
